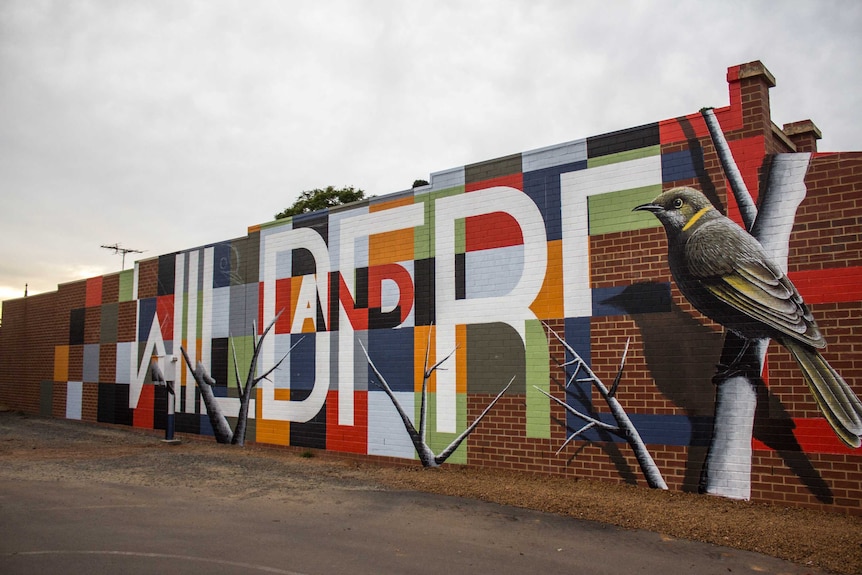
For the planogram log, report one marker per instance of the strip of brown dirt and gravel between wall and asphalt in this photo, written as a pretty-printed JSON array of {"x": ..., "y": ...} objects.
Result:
[{"x": 34, "y": 448}]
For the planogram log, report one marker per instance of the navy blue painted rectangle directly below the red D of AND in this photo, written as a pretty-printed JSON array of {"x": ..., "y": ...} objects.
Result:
[{"x": 391, "y": 350}]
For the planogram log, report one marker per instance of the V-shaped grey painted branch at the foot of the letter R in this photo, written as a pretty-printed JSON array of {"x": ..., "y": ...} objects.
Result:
[{"x": 418, "y": 437}]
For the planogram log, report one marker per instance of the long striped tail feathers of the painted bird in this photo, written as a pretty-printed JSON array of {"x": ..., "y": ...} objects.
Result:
[{"x": 836, "y": 400}]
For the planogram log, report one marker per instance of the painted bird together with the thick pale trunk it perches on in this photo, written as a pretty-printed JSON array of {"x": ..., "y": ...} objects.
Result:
[{"x": 728, "y": 275}]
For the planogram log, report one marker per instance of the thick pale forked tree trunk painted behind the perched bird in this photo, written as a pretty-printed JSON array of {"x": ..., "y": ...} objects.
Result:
[{"x": 727, "y": 468}]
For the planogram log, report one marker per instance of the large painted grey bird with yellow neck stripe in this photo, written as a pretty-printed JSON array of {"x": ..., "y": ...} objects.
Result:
[{"x": 726, "y": 274}]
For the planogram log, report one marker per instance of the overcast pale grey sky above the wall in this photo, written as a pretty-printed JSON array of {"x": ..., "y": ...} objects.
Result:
[{"x": 166, "y": 125}]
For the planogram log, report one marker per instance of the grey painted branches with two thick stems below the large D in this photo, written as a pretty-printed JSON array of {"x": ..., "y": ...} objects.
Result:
[{"x": 220, "y": 425}]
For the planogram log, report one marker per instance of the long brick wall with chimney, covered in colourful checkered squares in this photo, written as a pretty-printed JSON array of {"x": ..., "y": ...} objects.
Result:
[{"x": 486, "y": 262}]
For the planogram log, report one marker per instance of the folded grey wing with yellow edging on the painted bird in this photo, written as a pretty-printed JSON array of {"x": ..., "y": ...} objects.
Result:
[{"x": 736, "y": 269}]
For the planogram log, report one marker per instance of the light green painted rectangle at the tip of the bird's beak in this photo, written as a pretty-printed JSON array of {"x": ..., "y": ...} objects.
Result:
[{"x": 612, "y": 212}]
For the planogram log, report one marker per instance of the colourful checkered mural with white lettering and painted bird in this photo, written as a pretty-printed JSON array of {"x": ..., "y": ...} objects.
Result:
[{"x": 524, "y": 269}]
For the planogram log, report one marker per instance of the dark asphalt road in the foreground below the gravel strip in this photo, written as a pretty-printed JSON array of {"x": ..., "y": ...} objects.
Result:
[{"x": 97, "y": 527}]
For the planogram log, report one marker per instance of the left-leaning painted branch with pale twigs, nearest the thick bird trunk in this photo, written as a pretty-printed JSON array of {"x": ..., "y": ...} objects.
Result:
[{"x": 624, "y": 428}]
